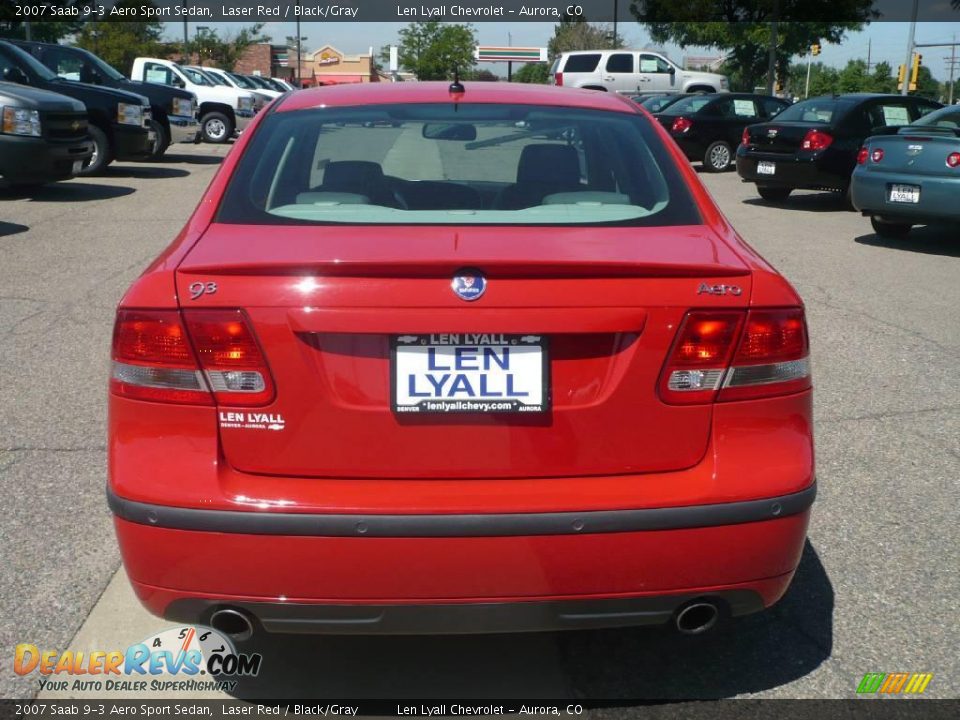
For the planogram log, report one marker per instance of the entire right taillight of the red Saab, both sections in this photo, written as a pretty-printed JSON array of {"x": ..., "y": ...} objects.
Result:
[{"x": 732, "y": 355}]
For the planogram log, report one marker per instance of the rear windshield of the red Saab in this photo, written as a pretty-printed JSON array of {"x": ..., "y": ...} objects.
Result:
[{"x": 457, "y": 165}]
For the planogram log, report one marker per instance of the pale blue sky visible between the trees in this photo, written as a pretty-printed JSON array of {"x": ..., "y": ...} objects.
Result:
[{"x": 887, "y": 40}]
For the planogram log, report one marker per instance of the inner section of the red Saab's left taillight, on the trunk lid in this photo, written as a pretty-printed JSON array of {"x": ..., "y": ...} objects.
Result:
[{"x": 230, "y": 357}]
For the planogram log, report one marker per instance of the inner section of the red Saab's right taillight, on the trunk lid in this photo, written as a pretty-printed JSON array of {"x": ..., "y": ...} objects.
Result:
[{"x": 700, "y": 356}]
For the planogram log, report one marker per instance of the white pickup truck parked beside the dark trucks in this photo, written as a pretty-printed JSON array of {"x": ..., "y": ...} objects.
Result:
[{"x": 223, "y": 110}]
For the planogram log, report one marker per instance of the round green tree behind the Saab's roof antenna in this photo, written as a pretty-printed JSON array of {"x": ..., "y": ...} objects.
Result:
[{"x": 431, "y": 50}]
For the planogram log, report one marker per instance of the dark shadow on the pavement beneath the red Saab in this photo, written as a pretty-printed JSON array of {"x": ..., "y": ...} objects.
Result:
[{"x": 623, "y": 666}]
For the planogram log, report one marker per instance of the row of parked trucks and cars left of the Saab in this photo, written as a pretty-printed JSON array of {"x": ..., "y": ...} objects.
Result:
[{"x": 70, "y": 113}]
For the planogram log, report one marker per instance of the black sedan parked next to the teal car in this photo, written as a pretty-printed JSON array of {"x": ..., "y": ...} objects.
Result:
[{"x": 814, "y": 144}]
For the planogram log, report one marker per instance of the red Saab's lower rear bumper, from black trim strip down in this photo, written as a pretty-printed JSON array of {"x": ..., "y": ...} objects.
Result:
[{"x": 370, "y": 574}]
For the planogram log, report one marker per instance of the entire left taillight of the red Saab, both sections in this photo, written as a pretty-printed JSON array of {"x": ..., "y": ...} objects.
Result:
[{"x": 203, "y": 357}]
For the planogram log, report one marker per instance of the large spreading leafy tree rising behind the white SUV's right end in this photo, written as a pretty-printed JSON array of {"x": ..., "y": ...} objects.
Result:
[{"x": 742, "y": 28}]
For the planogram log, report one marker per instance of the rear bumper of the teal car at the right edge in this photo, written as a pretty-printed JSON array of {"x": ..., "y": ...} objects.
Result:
[{"x": 870, "y": 192}]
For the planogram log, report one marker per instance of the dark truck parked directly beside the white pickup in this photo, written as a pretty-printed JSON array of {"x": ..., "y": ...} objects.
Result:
[{"x": 174, "y": 110}]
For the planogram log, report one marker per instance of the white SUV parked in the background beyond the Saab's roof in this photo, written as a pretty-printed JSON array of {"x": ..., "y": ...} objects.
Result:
[{"x": 631, "y": 72}]
